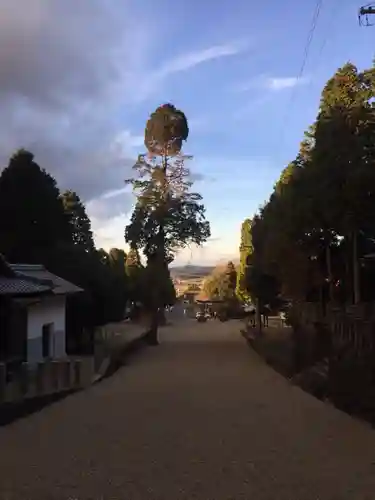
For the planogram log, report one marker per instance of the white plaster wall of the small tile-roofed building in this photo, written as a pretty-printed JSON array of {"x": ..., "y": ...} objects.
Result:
[{"x": 49, "y": 310}]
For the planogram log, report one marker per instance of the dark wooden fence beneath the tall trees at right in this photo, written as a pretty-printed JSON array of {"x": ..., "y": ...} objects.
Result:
[{"x": 345, "y": 339}]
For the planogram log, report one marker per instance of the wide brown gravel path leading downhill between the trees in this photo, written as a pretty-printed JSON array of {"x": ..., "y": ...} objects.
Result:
[{"x": 199, "y": 417}]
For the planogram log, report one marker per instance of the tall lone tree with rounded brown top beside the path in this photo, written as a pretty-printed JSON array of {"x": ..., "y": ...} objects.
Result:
[{"x": 167, "y": 215}]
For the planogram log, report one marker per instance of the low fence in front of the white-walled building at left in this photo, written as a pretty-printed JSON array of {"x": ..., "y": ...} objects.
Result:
[{"x": 51, "y": 377}]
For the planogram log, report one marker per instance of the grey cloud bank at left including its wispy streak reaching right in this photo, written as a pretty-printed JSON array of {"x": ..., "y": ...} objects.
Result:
[{"x": 68, "y": 70}]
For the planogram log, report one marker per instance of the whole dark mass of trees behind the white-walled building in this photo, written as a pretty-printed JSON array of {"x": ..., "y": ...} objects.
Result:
[{"x": 40, "y": 225}]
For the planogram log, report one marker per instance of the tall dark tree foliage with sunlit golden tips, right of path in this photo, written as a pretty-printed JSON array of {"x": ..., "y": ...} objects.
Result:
[{"x": 312, "y": 231}]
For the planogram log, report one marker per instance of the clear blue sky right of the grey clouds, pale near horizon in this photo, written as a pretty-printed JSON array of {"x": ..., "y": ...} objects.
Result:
[{"x": 232, "y": 67}]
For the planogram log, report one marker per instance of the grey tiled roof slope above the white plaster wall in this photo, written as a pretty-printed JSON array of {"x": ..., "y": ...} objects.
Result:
[{"x": 37, "y": 273}]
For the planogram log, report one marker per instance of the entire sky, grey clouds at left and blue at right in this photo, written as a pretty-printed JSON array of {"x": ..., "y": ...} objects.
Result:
[{"x": 79, "y": 79}]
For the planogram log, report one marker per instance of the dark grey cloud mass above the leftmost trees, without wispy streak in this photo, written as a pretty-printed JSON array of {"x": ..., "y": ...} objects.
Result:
[{"x": 63, "y": 68}]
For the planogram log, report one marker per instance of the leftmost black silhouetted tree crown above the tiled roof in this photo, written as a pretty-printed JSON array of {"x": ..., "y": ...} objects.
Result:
[{"x": 32, "y": 214}]
